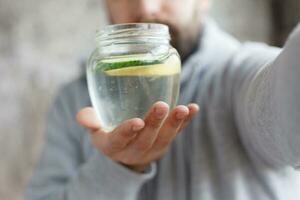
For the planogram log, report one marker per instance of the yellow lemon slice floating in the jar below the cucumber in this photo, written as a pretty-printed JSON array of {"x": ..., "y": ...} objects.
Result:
[{"x": 169, "y": 67}]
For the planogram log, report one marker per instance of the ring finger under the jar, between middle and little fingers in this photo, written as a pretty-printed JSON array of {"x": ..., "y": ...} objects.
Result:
[{"x": 171, "y": 127}]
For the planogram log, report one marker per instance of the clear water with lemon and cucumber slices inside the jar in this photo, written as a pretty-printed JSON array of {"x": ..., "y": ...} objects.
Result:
[{"x": 126, "y": 87}]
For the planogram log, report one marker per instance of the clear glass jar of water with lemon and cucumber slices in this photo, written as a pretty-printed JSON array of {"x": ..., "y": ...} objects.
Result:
[{"x": 132, "y": 67}]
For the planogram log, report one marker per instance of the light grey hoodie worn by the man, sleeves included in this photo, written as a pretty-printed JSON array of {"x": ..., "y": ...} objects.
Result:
[{"x": 243, "y": 145}]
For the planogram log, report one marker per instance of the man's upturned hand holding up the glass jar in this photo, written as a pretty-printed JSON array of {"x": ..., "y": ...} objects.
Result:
[{"x": 136, "y": 143}]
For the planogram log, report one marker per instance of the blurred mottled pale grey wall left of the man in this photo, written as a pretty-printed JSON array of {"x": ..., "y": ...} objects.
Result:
[{"x": 41, "y": 43}]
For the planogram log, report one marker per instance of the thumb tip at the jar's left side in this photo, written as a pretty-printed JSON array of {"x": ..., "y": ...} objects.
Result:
[{"x": 87, "y": 118}]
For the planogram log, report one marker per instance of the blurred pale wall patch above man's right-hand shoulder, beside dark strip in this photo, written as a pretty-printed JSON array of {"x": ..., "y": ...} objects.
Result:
[{"x": 247, "y": 20}]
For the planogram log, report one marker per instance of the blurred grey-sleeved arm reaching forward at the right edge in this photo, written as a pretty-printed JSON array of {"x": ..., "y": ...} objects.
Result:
[{"x": 267, "y": 107}]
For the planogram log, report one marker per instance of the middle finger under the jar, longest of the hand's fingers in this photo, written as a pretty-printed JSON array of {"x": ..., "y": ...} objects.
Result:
[{"x": 153, "y": 122}]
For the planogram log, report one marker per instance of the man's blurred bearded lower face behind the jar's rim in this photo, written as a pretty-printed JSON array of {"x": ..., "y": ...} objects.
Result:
[{"x": 182, "y": 16}]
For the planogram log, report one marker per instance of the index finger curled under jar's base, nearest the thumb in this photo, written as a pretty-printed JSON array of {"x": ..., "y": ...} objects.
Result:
[{"x": 123, "y": 134}]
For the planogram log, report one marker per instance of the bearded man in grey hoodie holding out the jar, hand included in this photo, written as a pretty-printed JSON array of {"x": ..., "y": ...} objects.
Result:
[{"x": 244, "y": 144}]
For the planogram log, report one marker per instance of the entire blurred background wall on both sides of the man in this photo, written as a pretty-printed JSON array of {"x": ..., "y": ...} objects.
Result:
[{"x": 42, "y": 44}]
